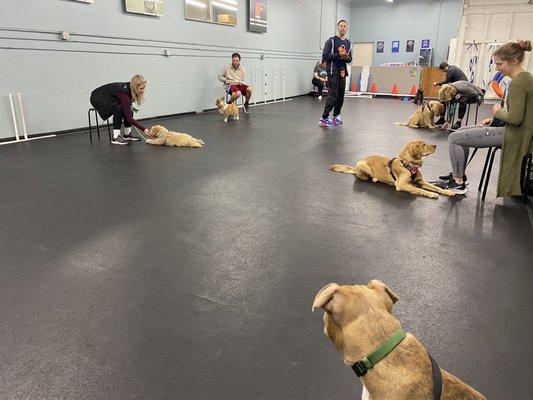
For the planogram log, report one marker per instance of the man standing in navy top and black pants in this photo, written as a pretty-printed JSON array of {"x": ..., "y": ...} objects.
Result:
[{"x": 337, "y": 53}]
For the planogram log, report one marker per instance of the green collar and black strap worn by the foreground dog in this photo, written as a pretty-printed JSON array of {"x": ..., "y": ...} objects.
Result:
[{"x": 363, "y": 366}]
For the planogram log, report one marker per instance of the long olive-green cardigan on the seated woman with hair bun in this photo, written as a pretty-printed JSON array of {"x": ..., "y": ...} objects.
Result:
[{"x": 518, "y": 133}]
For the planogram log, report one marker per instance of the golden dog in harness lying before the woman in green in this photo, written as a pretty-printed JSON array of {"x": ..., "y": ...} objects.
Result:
[{"x": 402, "y": 171}]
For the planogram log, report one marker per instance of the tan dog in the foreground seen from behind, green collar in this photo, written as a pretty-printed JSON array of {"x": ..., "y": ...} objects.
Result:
[{"x": 358, "y": 320}]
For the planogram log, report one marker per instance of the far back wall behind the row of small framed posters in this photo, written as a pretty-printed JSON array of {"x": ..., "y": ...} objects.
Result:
[{"x": 436, "y": 20}]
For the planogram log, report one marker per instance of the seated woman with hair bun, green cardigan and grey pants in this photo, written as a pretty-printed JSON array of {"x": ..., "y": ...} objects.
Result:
[{"x": 511, "y": 128}]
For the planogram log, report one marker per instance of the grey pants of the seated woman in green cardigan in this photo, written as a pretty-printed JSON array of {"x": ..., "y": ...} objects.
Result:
[{"x": 460, "y": 141}]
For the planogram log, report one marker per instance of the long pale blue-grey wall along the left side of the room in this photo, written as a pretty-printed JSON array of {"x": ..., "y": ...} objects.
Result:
[{"x": 107, "y": 45}]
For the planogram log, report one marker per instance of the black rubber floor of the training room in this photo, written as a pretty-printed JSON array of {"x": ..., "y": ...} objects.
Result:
[{"x": 175, "y": 273}]
